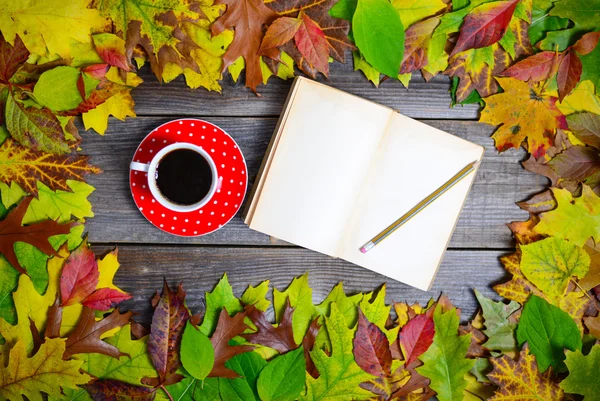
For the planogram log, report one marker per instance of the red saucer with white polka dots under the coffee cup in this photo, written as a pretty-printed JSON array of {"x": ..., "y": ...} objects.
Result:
[{"x": 231, "y": 172}]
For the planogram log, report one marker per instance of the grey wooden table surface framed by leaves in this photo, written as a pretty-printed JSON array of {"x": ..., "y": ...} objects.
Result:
[{"x": 148, "y": 254}]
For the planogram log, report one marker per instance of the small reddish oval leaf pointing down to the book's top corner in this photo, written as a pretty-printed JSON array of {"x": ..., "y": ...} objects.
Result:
[{"x": 312, "y": 44}]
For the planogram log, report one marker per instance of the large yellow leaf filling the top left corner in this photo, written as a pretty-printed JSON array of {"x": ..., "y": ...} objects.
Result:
[{"x": 49, "y": 27}]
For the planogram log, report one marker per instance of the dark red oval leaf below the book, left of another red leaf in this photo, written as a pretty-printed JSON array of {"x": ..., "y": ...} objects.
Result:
[{"x": 371, "y": 348}]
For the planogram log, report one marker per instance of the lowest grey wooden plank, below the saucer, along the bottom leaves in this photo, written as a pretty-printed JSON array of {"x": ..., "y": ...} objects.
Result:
[{"x": 200, "y": 268}]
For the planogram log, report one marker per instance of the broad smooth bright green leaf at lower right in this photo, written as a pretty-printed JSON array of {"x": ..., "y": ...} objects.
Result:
[{"x": 548, "y": 331}]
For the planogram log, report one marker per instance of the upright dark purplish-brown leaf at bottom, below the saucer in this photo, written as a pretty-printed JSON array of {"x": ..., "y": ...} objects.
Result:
[{"x": 168, "y": 323}]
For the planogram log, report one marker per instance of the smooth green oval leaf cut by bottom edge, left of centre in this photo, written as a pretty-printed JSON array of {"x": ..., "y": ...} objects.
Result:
[{"x": 283, "y": 377}]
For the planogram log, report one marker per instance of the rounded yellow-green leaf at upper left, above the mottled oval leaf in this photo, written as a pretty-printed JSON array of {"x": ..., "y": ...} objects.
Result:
[{"x": 57, "y": 89}]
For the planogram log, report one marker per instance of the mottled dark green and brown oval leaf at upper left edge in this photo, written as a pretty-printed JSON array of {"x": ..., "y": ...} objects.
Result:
[{"x": 35, "y": 128}]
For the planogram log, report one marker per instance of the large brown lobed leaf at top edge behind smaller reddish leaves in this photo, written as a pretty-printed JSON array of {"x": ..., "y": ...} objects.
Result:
[{"x": 335, "y": 30}]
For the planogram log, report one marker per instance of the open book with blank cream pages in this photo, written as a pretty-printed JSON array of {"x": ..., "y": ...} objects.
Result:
[{"x": 340, "y": 169}]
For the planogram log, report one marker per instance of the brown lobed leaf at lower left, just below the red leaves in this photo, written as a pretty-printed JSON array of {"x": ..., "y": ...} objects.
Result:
[{"x": 85, "y": 338}]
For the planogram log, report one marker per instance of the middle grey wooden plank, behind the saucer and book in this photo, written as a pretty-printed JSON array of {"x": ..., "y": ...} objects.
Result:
[{"x": 501, "y": 181}]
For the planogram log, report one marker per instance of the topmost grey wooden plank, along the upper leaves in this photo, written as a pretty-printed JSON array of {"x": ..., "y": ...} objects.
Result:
[{"x": 421, "y": 100}]
